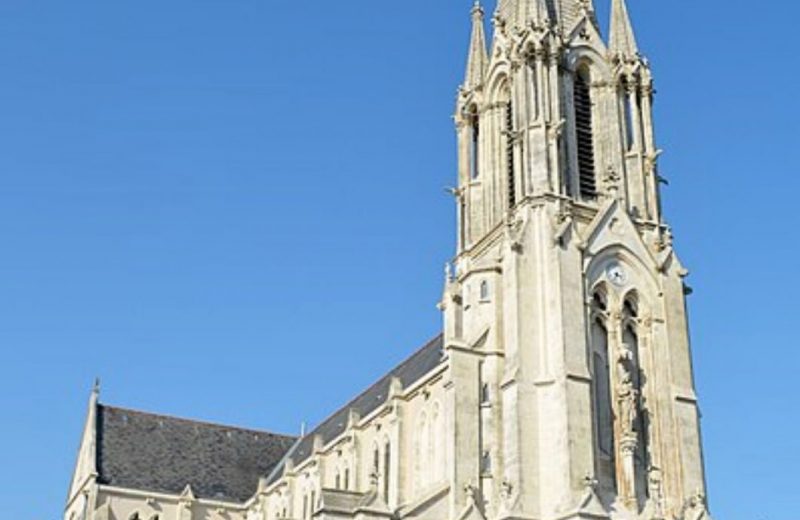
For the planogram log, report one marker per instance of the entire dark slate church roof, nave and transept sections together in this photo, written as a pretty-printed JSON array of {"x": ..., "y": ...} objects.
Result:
[{"x": 148, "y": 452}]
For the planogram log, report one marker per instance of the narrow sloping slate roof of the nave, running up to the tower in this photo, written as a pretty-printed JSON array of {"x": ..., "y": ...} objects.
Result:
[{"x": 408, "y": 372}]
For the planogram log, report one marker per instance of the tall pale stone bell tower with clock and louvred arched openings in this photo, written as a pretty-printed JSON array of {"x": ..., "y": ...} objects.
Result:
[{"x": 566, "y": 299}]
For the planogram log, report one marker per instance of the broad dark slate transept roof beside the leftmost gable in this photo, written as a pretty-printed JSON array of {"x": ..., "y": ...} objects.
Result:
[{"x": 148, "y": 452}]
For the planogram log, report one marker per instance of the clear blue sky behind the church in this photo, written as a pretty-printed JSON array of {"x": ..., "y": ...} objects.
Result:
[{"x": 233, "y": 210}]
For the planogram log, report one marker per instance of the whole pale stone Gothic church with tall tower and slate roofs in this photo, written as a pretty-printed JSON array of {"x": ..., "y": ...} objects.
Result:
[{"x": 561, "y": 386}]
